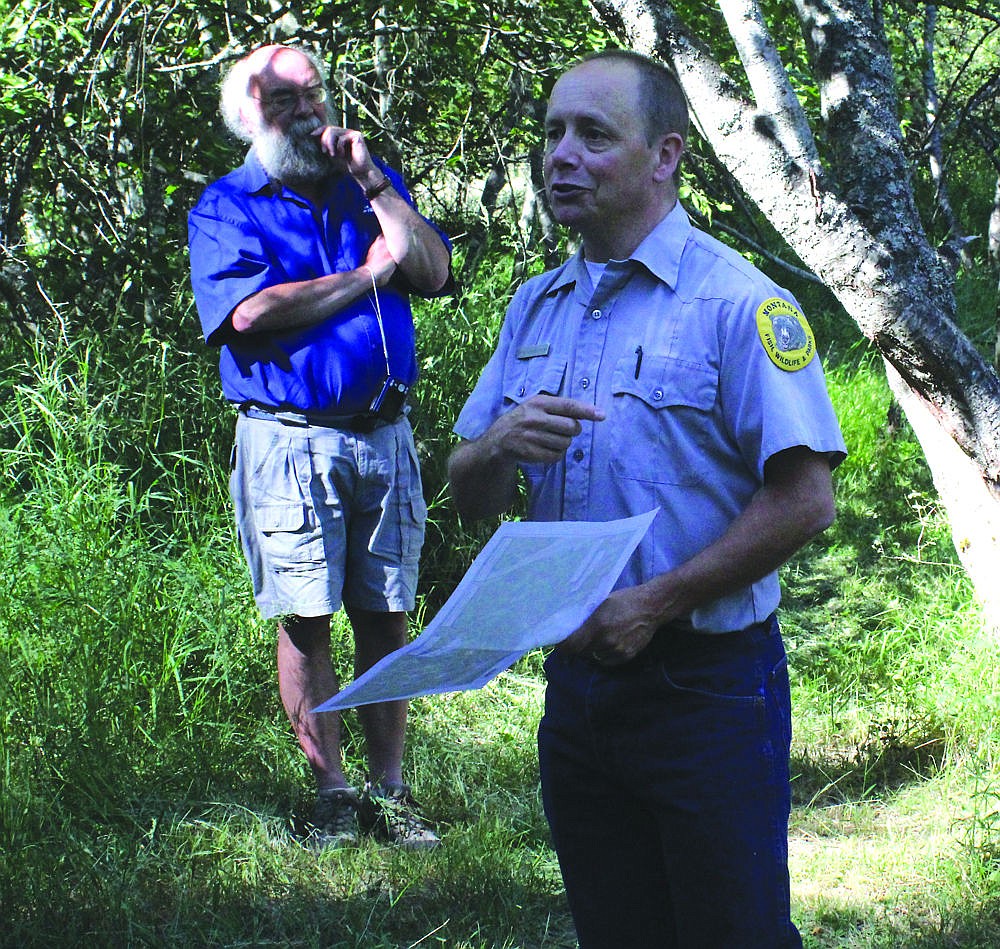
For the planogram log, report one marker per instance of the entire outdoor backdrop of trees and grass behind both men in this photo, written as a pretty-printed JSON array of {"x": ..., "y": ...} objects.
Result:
[{"x": 151, "y": 790}]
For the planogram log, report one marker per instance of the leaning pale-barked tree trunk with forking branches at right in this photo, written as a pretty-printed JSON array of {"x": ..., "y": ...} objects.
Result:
[{"x": 848, "y": 212}]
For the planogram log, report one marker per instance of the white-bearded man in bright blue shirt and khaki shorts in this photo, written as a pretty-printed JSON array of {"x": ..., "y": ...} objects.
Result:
[{"x": 302, "y": 261}]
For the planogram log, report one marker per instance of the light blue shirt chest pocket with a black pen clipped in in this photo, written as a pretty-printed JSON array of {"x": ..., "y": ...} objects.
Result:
[{"x": 662, "y": 421}]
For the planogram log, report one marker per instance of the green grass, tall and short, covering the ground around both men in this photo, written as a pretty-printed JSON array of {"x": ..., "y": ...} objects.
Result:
[{"x": 151, "y": 783}]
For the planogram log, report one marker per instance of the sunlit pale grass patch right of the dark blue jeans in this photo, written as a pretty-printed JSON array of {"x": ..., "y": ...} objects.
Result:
[{"x": 896, "y": 870}]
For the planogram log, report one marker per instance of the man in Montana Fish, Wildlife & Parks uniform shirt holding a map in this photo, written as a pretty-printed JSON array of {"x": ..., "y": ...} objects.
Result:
[{"x": 647, "y": 373}]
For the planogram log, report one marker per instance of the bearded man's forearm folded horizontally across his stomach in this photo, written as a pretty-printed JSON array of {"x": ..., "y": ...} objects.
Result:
[{"x": 305, "y": 303}]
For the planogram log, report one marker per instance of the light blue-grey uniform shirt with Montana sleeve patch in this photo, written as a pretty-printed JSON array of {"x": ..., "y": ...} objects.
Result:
[{"x": 668, "y": 346}]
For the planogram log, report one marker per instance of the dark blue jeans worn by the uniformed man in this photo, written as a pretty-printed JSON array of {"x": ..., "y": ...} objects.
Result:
[{"x": 666, "y": 786}]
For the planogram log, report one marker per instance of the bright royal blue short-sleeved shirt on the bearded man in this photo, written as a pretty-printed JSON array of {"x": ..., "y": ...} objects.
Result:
[{"x": 247, "y": 233}]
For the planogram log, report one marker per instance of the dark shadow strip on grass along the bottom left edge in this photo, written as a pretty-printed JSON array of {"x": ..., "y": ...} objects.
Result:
[{"x": 299, "y": 914}]
